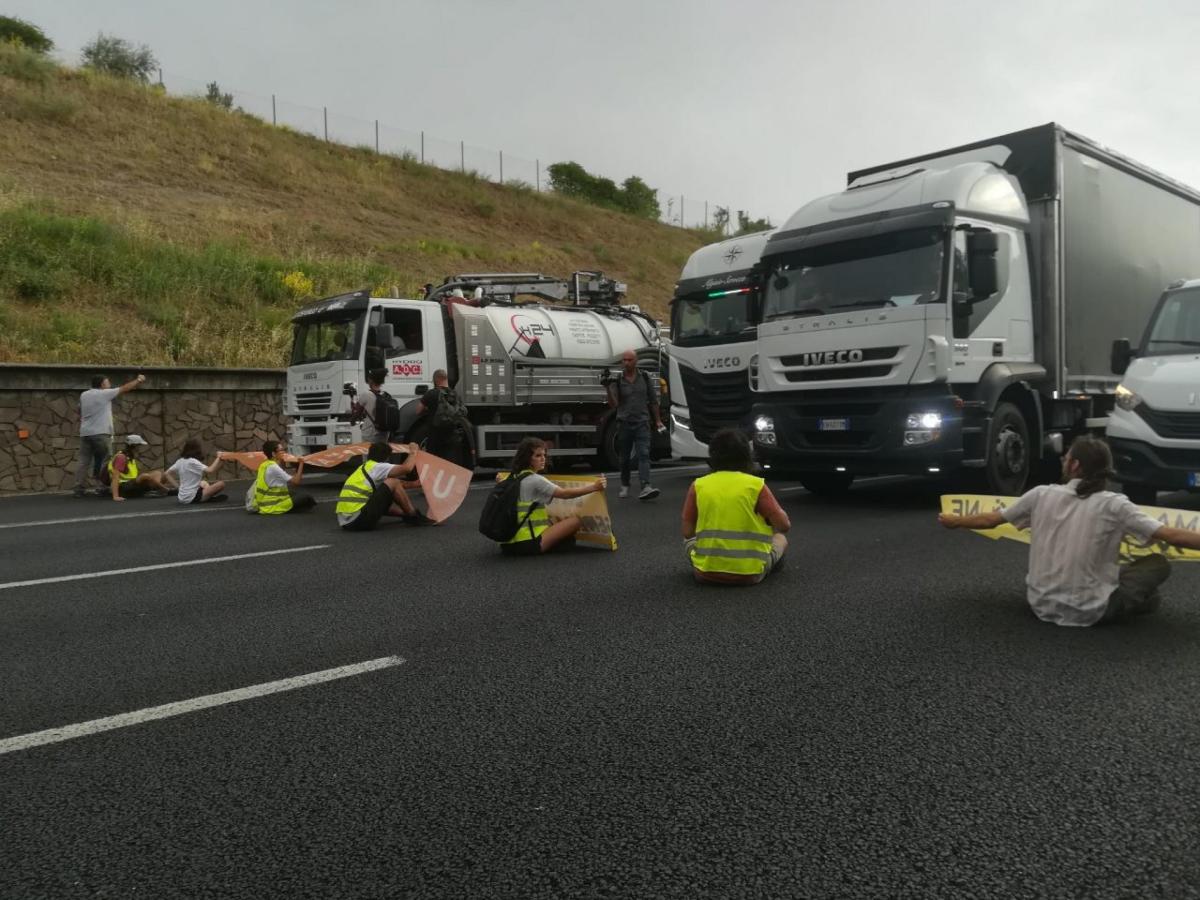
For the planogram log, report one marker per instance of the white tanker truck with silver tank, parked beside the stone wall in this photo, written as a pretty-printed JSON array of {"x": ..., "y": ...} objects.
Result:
[{"x": 521, "y": 368}]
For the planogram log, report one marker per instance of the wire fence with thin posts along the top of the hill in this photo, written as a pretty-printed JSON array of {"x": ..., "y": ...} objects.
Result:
[{"x": 676, "y": 209}]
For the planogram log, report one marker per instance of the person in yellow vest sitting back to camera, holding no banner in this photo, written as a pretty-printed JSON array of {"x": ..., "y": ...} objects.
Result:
[{"x": 733, "y": 525}]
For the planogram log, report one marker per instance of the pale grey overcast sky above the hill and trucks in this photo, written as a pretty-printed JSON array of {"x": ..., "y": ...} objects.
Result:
[{"x": 760, "y": 105}]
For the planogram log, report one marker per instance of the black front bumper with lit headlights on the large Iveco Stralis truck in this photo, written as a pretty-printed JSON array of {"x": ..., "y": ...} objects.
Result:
[{"x": 886, "y": 433}]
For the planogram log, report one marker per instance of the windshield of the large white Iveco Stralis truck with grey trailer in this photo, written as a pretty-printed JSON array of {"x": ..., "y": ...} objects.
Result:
[{"x": 895, "y": 269}]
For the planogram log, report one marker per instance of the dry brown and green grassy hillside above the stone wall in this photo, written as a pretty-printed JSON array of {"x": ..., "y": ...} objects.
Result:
[{"x": 139, "y": 229}]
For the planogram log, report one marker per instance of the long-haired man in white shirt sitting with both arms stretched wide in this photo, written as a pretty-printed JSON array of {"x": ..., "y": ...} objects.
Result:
[{"x": 1076, "y": 533}]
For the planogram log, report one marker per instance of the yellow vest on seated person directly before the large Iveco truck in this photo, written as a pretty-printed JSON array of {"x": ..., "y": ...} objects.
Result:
[{"x": 731, "y": 538}]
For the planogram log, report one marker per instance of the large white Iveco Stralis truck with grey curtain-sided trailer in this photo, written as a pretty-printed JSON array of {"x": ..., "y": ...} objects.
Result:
[{"x": 957, "y": 311}]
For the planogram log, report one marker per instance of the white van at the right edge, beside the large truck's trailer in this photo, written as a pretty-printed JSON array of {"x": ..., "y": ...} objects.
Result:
[{"x": 1155, "y": 427}]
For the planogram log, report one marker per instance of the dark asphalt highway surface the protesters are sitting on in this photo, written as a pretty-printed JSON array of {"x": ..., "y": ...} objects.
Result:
[{"x": 884, "y": 718}]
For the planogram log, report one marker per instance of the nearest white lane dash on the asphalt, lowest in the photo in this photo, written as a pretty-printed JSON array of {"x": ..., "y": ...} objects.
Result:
[{"x": 95, "y": 727}]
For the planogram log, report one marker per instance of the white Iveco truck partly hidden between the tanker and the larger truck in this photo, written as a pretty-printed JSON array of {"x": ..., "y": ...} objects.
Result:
[{"x": 713, "y": 317}]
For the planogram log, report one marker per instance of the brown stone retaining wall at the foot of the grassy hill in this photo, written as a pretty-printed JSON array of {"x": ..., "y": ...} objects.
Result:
[{"x": 229, "y": 410}]
